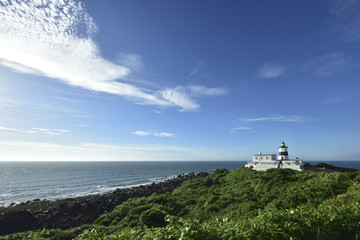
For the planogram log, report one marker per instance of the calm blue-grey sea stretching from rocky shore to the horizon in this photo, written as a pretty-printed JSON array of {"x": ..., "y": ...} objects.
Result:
[{"x": 23, "y": 181}]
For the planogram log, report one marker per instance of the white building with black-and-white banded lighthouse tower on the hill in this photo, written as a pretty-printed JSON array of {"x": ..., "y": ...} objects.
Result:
[{"x": 263, "y": 162}]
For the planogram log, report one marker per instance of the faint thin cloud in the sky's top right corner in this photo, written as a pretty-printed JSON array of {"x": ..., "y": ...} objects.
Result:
[{"x": 347, "y": 15}]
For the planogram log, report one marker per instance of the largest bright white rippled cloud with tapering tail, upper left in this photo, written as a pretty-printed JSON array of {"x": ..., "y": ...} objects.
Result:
[{"x": 54, "y": 39}]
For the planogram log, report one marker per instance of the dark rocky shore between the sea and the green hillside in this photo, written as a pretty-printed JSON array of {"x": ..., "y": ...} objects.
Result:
[{"x": 72, "y": 212}]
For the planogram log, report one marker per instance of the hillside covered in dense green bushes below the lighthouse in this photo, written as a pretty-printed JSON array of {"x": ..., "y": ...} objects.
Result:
[{"x": 242, "y": 204}]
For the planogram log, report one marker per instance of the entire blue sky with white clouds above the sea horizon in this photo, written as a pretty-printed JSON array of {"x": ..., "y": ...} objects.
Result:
[{"x": 179, "y": 80}]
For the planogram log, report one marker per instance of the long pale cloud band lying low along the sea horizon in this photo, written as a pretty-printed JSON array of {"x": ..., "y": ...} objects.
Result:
[{"x": 44, "y": 151}]
